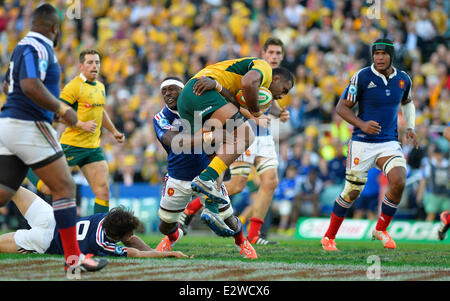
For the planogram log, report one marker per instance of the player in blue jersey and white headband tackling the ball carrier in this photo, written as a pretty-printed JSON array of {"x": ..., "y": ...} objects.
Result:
[{"x": 185, "y": 161}]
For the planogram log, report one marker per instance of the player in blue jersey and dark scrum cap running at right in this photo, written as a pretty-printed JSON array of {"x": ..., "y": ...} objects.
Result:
[{"x": 379, "y": 90}]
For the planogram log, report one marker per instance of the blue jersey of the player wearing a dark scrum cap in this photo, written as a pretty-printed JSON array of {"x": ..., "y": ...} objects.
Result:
[{"x": 378, "y": 100}]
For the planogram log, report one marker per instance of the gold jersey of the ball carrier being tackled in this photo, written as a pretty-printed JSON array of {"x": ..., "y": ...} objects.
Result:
[{"x": 230, "y": 72}]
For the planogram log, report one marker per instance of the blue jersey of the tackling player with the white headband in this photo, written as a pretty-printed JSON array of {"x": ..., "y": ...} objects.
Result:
[{"x": 180, "y": 166}]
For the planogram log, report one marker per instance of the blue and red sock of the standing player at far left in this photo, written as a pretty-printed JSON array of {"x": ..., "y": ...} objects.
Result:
[{"x": 65, "y": 212}]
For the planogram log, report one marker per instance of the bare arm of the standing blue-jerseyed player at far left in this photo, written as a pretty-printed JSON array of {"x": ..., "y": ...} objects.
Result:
[{"x": 35, "y": 90}]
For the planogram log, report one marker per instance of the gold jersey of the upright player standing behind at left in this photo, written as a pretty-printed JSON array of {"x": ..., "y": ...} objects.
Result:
[{"x": 88, "y": 100}]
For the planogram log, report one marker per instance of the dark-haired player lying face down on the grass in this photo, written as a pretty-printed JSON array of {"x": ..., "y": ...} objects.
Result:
[{"x": 98, "y": 234}]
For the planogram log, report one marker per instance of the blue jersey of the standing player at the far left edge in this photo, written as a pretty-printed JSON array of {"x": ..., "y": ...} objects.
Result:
[{"x": 33, "y": 57}]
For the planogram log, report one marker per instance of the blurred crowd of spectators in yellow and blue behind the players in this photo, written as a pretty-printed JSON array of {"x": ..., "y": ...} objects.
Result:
[{"x": 326, "y": 41}]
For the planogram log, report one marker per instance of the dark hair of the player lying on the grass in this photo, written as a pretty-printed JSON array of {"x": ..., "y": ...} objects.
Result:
[{"x": 120, "y": 221}]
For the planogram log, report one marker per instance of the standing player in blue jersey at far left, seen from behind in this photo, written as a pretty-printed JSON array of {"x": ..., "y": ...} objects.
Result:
[{"x": 27, "y": 139}]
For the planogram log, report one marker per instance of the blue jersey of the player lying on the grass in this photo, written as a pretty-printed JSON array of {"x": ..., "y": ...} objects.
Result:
[{"x": 91, "y": 238}]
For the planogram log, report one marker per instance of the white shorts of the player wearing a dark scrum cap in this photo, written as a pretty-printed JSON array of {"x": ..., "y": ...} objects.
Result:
[{"x": 362, "y": 156}]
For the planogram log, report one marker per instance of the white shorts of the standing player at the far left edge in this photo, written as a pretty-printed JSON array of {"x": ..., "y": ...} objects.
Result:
[{"x": 30, "y": 141}]
